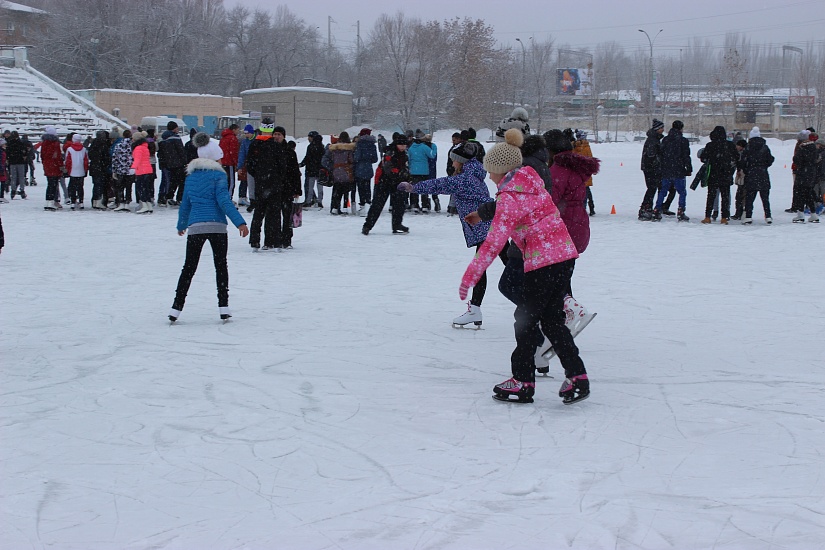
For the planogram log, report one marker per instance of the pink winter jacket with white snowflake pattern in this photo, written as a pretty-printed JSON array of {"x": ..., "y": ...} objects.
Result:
[{"x": 526, "y": 213}]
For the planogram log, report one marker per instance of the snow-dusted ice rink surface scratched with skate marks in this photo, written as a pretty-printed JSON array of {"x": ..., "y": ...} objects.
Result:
[{"x": 339, "y": 410}]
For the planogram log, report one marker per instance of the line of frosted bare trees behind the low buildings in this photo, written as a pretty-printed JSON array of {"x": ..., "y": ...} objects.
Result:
[{"x": 405, "y": 71}]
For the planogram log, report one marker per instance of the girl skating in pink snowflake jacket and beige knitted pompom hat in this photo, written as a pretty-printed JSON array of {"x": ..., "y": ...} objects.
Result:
[{"x": 526, "y": 213}]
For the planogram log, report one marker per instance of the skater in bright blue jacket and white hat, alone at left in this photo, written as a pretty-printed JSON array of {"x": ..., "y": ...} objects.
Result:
[{"x": 203, "y": 210}]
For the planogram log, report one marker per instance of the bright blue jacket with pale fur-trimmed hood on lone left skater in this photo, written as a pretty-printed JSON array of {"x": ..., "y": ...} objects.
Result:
[{"x": 206, "y": 196}]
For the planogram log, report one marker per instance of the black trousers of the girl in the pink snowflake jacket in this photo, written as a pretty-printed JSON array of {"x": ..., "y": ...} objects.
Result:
[{"x": 542, "y": 302}]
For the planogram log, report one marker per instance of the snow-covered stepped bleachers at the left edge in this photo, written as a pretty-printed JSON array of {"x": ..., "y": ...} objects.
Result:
[{"x": 29, "y": 101}]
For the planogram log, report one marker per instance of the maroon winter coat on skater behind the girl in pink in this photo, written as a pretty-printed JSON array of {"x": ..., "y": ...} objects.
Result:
[{"x": 570, "y": 172}]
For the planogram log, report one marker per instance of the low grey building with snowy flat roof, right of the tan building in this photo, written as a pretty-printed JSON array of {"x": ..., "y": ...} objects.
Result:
[{"x": 301, "y": 110}]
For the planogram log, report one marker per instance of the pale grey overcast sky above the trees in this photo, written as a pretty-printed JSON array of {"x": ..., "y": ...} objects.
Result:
[{"x": 585, "y": 23}]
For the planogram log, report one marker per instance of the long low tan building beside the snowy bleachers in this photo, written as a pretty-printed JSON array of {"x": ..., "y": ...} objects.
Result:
[{"x": 199, "y": 111}]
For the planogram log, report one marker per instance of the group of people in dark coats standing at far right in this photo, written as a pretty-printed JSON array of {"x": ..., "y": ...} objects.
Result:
[{"x": 728, "y": 161}]
